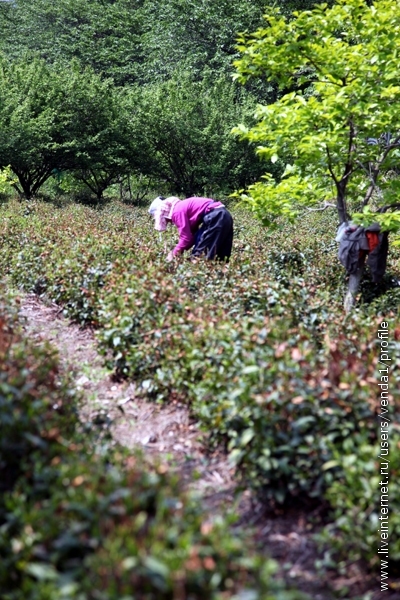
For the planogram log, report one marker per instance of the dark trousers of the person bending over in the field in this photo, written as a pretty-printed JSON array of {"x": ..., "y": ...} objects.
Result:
[{"x": 215, "y": 236}]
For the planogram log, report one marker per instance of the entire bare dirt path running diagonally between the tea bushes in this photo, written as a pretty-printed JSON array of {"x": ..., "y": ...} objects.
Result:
[{"x": 169, "y": 433}]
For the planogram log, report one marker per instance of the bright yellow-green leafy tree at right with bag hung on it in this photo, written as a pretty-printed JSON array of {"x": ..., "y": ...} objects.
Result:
[{"x": 332, "y": 134}]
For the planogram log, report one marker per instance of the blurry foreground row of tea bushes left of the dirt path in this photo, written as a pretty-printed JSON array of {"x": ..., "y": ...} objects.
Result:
[{"x": 79, "y": 524}]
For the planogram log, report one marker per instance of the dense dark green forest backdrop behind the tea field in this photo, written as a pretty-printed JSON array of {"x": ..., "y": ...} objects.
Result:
[{"x": 97, "y": 93}]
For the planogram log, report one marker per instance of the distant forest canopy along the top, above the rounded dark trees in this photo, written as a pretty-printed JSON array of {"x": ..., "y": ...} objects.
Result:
[{"x": 133, "y": 40}]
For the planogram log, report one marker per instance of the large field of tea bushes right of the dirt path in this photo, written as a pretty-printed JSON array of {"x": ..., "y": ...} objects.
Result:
[{"x": 259, "y": 348}]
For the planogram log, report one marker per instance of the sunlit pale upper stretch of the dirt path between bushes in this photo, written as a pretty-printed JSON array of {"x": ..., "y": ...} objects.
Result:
[{"x": 165, "y": 432}]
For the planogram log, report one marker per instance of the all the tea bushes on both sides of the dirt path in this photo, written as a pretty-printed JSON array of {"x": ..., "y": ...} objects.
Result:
[{"x": 261, "y": 351}]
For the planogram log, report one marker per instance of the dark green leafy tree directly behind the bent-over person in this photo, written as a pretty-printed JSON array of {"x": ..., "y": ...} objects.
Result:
[{"x": 186, "y": 126}]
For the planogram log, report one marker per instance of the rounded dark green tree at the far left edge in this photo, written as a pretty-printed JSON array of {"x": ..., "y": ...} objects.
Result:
[{"x": 59, "y": 119}]
